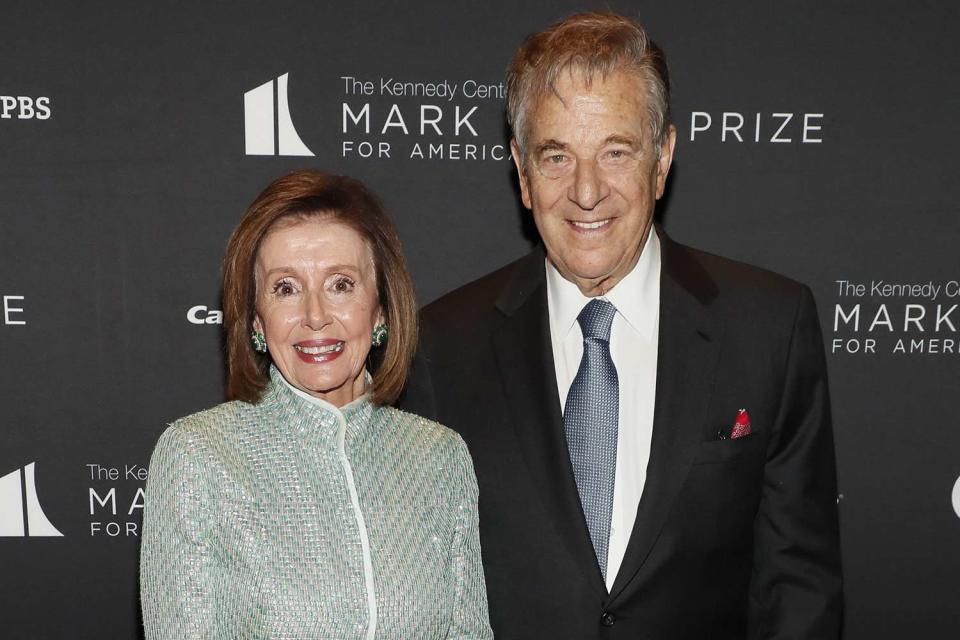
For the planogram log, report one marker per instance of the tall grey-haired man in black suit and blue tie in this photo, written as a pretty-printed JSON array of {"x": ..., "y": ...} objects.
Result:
[{"x": 650, "y": 424}]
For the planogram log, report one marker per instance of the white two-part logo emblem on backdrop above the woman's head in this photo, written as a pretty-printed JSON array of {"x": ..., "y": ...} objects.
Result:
[{"x": 259, "y": 119}]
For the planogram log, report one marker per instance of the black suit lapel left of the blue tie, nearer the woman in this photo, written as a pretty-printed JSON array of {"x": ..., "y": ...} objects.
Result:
[{"x": 525, "y": 359}]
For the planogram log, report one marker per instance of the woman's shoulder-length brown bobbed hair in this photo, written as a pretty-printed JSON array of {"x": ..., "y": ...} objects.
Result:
[{"x": 301, "y": 195}]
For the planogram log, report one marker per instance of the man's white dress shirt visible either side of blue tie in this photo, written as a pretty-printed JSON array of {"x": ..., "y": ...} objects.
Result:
[{"x": 633, "y": 347}]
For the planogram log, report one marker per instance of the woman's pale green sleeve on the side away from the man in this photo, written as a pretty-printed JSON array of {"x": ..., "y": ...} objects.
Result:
[{"x": 174, "y": 554}]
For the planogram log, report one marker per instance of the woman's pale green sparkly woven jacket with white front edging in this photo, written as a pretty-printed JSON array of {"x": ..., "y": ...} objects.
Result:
[{"x": 250, "y": 529}]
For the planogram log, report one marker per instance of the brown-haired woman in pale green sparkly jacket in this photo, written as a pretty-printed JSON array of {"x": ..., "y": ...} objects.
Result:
[{"x": 307, "y": 507}]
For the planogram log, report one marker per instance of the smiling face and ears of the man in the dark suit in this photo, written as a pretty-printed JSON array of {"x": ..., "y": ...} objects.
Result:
[{"x": 592, "y": 177}]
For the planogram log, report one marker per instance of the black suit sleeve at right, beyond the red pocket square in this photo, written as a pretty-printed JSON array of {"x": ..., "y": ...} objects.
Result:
[{"x": 796, "y": 588}]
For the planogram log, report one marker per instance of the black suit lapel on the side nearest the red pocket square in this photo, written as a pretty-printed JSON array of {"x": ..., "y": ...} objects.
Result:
[{"x": 688, "y": 354}]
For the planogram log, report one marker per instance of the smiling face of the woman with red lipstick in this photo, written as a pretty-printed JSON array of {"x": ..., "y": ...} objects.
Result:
[{"x": 317, "y": 305}]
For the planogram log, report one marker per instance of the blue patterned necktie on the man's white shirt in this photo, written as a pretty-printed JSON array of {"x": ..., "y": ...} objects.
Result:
[{"x": 590, "y": 420}]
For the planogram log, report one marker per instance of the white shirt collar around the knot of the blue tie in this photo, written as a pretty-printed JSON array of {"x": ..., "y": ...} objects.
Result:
[{"x": 636, "y": 297}]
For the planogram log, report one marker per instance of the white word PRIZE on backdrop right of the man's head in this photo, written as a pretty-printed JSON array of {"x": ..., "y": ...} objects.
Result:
[{"x": 732, "y": 126}]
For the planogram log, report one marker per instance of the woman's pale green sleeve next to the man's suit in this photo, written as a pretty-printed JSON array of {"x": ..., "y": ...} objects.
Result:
[{"x": 470, "y": 619}]
